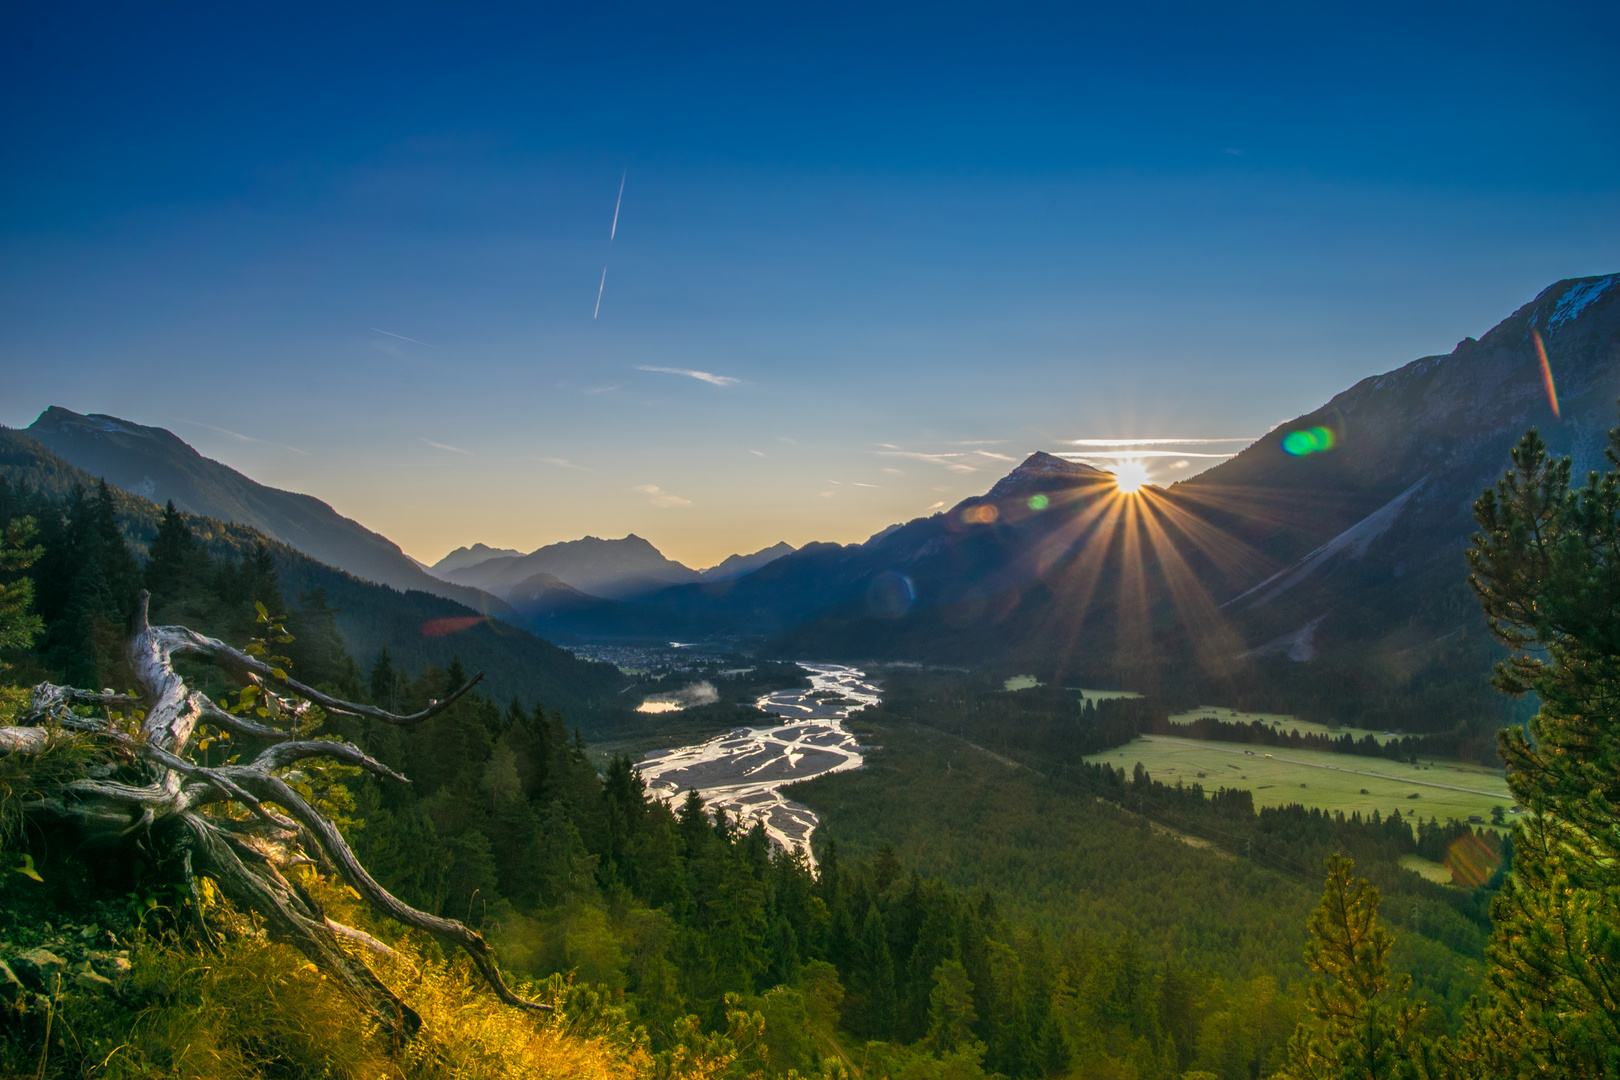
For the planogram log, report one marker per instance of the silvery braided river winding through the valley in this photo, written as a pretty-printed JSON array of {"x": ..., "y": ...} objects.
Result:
[{"x": 744, "y": 772}]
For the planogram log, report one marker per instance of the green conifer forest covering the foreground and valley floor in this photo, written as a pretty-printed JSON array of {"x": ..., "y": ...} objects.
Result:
[{"x": 981, "y": 903}]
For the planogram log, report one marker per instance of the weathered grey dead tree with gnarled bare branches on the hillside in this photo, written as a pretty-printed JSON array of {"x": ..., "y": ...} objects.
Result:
[{"x": 181, "y": 809}]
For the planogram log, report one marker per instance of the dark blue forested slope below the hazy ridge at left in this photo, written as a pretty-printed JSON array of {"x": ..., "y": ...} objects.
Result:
[{"x": 417, "y": 627}]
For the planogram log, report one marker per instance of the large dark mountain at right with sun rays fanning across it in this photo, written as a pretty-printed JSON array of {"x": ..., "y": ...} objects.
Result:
[{"x": 1319, "y": 571}]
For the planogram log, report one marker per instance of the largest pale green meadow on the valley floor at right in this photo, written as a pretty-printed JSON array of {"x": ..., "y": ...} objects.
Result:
[{"x": 1319, "y": 780}]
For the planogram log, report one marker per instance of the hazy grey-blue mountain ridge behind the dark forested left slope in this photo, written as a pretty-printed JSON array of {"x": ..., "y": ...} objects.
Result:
[{"x": 158, "y": 466}]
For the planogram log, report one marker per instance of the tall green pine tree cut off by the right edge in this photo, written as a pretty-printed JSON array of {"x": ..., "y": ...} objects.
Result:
[{"x": 1546, "y": 569}]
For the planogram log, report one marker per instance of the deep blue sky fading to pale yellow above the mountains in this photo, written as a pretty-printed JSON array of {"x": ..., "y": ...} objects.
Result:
[{"x": 868, "y": 257}]
